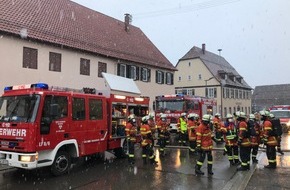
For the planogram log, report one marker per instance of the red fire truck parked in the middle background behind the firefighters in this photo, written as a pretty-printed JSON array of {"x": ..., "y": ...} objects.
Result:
[{"x": 174, "y": 105}]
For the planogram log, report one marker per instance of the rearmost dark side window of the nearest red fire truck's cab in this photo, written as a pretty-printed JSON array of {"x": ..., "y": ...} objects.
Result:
[{"x": 96, "y": 109}]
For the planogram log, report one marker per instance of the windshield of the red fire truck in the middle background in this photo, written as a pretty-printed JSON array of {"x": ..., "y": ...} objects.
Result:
[{"x": 170, "y": 105}]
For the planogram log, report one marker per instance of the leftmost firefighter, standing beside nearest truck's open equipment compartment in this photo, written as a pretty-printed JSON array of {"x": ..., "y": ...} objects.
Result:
[{"x": 131, "y": 133}]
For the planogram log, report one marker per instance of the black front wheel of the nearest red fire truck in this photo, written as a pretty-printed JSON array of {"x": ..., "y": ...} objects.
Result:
[{"x": 61, "y": 163}]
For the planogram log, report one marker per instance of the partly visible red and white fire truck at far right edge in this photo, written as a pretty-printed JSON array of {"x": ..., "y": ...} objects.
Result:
[{"x": 283, "y": 113}]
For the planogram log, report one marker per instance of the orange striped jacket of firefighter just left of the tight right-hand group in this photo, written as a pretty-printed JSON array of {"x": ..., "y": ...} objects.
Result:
[{"x": 230, "y": 133}]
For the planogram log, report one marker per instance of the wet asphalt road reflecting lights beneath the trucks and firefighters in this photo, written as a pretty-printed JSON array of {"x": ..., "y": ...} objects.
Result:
[{"x": 175, "y": 171}]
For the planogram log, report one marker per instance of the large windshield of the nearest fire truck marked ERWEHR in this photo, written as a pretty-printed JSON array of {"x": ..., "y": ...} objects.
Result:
[{"x": 18, "y": 108}]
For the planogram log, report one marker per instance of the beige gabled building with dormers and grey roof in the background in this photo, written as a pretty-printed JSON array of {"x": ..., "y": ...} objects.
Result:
[{"x": 203, "y": 73}]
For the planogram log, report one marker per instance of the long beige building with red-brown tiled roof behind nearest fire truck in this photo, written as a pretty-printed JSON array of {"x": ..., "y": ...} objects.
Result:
[{"x": 62, "y": 43}]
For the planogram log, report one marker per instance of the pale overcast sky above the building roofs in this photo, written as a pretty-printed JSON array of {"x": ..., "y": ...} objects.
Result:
[{"x": 254, "y": 35}]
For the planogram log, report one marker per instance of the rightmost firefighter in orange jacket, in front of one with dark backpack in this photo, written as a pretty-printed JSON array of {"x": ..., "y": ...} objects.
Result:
[{"x": 270, "y": 139}]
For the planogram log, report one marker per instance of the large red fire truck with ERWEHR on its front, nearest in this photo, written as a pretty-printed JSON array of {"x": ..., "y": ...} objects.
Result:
[{"x": 47, "y": 126}]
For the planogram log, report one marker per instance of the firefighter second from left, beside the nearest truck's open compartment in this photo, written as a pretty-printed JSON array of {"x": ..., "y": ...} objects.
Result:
[{"x": 147, "y": 148}]
